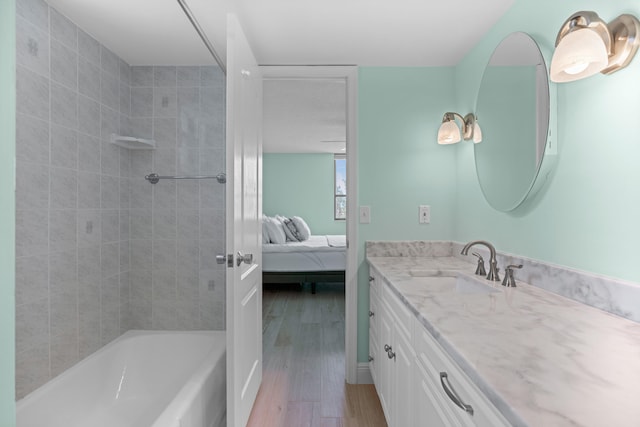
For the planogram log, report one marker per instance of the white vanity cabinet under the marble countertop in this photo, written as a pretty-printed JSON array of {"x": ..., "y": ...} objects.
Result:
[{"x": 417, "y": 382}]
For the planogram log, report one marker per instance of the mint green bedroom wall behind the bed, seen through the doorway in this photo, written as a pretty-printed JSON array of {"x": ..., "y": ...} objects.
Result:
[{"x": 301, "y": 185}]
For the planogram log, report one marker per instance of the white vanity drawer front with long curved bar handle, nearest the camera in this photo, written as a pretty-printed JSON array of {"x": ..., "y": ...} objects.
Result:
[{"x": 436, "y": 361}]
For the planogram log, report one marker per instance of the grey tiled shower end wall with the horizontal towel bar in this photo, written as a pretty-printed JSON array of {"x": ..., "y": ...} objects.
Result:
[{"x": 177, "y": 227}]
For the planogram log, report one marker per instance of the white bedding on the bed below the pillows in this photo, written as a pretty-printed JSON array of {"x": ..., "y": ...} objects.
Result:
[{"x": 319, "y": 253}]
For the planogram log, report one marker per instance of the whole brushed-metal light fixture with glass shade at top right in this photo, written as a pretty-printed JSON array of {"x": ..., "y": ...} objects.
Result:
[{"x": 587, "y": 45}]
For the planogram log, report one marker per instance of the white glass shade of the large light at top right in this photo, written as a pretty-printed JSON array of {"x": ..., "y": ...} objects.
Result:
[{"x": 580, "y": 53}]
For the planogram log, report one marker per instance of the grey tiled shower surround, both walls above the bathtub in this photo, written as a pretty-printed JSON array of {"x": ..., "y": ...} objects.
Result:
[{"x": 100, "y": 250}]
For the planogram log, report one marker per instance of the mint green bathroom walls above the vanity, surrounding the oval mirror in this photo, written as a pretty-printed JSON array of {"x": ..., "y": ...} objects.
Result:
[{"x": 588, "y": 215}]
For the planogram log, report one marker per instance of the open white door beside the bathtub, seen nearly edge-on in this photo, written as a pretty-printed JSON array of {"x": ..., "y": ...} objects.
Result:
[{"x": 244, "y": 237}]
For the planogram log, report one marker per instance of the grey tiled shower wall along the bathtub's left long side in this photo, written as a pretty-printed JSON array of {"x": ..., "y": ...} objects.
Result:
[{"x": 72, "y": 200}]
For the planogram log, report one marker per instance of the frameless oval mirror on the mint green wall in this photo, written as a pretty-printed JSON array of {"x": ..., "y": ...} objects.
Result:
[{"x": 514, "y": 111}]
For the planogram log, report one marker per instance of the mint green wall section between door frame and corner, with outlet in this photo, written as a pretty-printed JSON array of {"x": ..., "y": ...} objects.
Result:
[{"x": 400, "y": 166}]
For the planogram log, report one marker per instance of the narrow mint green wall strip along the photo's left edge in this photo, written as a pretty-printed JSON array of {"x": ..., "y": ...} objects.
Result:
[{"x": 7, "y": 213}]
